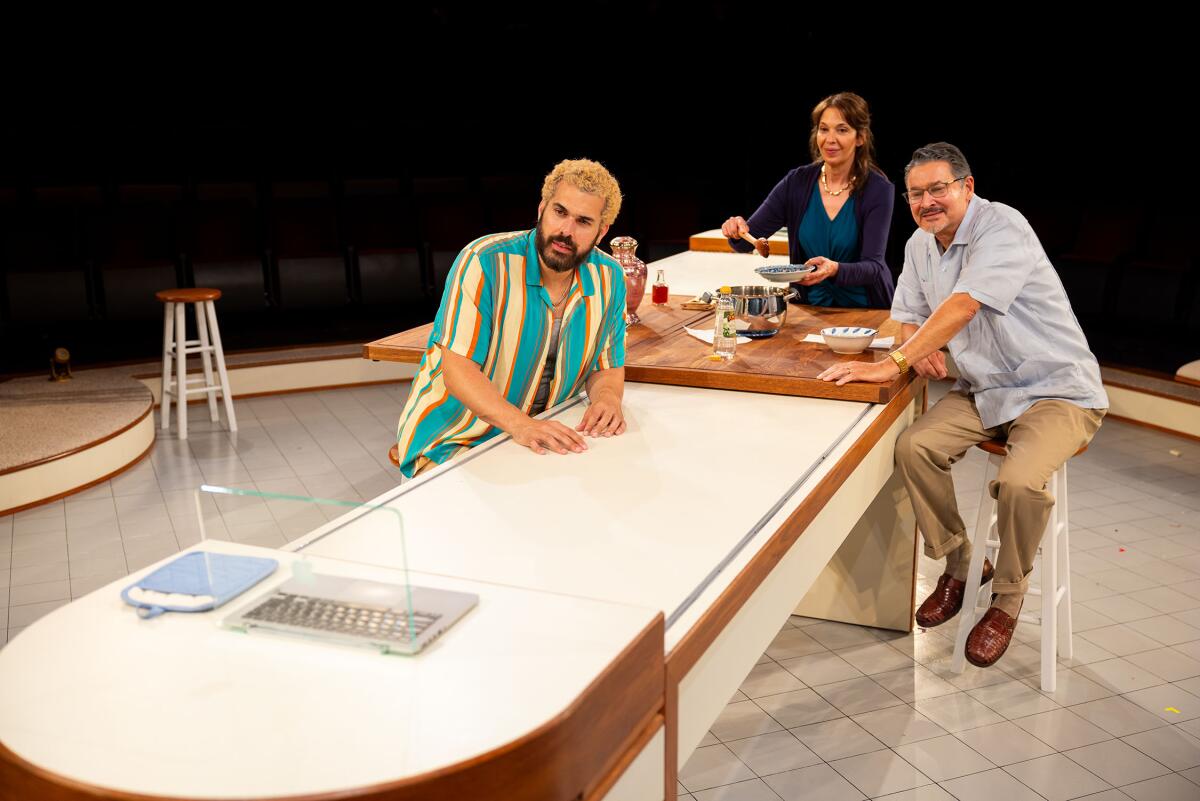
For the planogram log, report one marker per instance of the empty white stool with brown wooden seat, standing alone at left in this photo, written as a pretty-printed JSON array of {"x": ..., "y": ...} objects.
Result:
[{"x": 176, "y": 346}]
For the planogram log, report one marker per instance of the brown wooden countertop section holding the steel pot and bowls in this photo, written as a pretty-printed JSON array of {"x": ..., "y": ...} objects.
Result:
[{"x": 658, "y": 351}]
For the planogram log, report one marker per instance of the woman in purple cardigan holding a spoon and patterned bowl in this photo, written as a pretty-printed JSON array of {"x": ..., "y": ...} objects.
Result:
[{"x": 838, "y": 212}]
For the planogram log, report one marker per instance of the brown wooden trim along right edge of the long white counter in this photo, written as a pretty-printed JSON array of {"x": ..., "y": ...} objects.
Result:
[{"x": 693, "y": 646}]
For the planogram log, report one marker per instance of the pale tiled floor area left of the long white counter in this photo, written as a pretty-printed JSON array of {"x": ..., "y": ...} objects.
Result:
[{"x": 326, "y": 444}]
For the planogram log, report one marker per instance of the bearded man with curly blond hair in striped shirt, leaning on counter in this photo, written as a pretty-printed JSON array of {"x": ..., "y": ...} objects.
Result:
[{"x": 529, "y": 320}]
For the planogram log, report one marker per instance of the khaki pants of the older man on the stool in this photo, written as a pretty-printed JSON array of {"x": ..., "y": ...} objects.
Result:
[{"x": 1040, "y": 442}]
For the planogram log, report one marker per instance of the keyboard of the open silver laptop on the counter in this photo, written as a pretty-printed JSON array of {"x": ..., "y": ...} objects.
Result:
[{"x": 343, "y": 618}]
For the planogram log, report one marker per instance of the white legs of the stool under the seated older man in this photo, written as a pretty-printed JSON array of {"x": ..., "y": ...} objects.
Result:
[{"x": 1055, "y": 557}]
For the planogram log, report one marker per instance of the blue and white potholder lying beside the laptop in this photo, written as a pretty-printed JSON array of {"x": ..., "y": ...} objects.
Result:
[{"x": 231, "y": 576}]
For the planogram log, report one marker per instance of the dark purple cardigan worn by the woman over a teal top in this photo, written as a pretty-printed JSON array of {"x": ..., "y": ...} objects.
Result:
[{"x": 787, "y": 206}]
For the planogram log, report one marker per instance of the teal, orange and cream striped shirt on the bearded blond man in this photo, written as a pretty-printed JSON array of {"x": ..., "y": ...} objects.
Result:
[{"x": 496, "y": 312}]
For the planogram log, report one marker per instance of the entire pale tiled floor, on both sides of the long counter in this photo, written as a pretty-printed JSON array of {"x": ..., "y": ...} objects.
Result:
[{"x": 831, "y": 712}]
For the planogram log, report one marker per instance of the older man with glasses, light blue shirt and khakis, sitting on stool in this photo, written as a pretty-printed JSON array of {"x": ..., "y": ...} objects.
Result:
[{"x": 976, "y": 279}]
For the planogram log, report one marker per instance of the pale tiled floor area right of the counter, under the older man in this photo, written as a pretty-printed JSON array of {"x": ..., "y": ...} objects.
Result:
[{"x": 885, "y": 715}]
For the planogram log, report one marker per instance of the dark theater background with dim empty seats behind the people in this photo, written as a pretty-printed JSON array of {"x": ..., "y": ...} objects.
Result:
[{"x": 326, "y": 174}]
